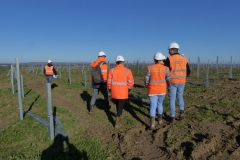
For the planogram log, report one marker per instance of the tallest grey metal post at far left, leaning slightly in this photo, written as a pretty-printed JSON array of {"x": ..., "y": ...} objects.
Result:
[{"x": 19, "y": 91}]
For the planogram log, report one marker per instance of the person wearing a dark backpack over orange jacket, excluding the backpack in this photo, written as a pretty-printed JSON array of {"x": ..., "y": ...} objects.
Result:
[{"x": 102, "y": 86}]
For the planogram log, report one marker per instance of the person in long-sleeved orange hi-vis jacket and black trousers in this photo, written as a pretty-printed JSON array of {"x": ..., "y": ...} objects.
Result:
[{"x": 120, "y": 82}]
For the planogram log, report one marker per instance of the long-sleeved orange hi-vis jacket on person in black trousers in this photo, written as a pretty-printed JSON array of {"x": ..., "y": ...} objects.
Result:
[{"x": 120, "y": 79}]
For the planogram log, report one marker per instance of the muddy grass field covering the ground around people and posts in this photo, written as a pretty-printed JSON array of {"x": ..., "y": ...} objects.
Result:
[{"x": 209, "y": 131}]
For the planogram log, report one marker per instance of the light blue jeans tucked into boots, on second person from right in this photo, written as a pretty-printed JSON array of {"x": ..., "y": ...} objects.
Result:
[{"x": 156, "y": 102}]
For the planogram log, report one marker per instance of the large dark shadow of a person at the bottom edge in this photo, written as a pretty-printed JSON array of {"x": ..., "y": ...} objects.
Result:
[{"x": 58, "y": 150}]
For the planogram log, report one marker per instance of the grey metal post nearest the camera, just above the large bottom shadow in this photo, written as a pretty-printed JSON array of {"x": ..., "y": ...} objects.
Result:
[{"x": 49, "y": 109}]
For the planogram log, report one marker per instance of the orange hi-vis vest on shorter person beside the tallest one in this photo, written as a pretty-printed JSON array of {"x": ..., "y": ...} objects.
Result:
[{"x": 157, "y": 83}]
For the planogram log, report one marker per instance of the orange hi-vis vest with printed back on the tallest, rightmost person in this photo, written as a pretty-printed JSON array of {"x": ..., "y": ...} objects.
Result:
[{"x": 178, "y": 68}]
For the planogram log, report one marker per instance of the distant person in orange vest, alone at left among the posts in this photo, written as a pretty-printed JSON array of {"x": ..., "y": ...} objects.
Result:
[{"x": 49, "y": 71}]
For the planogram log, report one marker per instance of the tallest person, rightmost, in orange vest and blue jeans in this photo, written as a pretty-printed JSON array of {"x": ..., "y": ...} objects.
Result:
[{"x": 179, "y": 68}]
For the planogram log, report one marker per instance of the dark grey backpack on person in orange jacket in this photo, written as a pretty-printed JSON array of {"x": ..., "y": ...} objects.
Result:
[{"x": 97, "y": 77}]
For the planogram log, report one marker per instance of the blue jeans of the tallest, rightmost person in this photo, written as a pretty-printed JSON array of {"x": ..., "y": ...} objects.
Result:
[{"x": 175, "y": 90}]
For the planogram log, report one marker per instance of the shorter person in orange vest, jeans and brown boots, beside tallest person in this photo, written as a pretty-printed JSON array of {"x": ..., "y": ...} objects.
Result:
[{"x": 156, "y": 80}]
